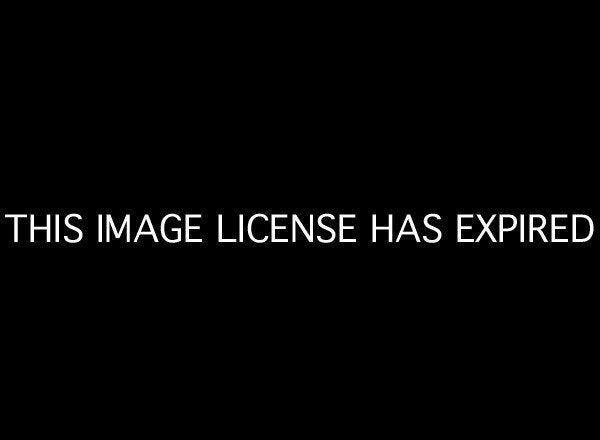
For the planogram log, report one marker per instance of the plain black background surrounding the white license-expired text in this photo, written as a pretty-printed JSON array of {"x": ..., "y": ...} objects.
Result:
[{"x": 368, "y": 113}]
